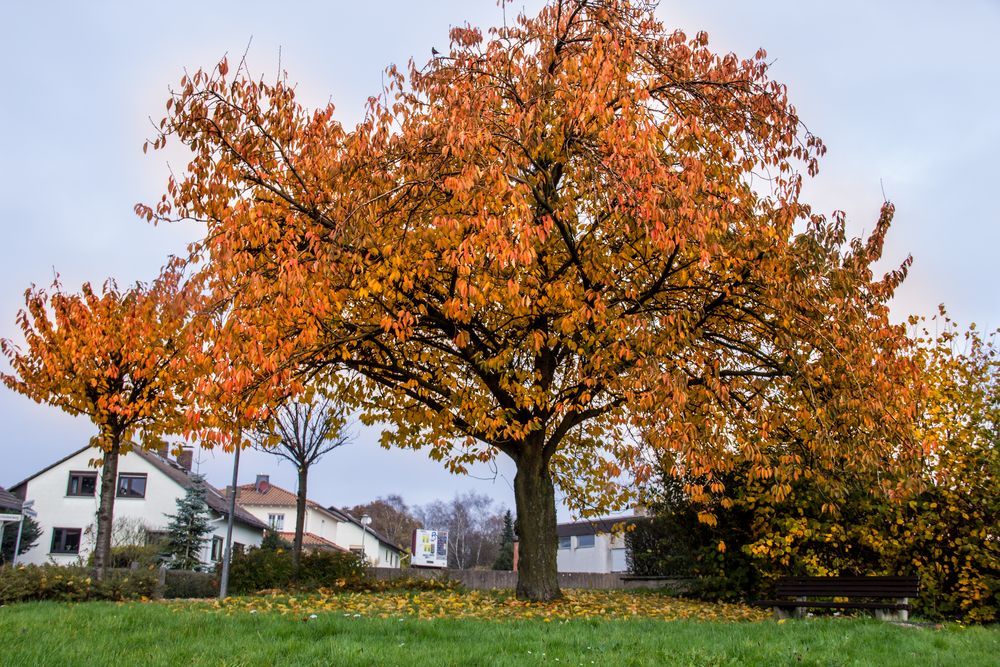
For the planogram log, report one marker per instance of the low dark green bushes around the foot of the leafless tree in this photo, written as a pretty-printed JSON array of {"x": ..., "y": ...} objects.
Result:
[{"x": 262, "y": 569}]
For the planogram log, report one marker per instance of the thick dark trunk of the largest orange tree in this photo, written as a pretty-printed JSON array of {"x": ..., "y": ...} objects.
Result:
[{"x": 535, "y": 498}]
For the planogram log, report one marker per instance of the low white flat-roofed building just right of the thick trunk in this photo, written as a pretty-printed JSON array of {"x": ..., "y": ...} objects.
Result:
[{"x": 592, "y": 546}]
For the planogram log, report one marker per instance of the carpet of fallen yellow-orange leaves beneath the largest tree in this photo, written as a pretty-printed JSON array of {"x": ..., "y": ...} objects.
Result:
[{"x": 575, "y": 604}]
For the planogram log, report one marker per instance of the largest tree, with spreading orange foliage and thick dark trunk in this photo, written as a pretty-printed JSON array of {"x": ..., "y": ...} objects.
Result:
[{"x": 577, "y": 241}]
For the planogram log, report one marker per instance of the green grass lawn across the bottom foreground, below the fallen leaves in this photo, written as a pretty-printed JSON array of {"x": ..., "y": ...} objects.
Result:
[{"x": 148, "y": 634}]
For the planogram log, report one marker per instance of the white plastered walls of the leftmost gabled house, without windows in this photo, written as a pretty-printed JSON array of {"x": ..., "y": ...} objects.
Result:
[{"x": 58, "y": 510}]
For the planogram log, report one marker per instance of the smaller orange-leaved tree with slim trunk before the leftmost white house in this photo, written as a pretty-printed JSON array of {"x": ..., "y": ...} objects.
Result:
[{"x": 111, "y": 355}]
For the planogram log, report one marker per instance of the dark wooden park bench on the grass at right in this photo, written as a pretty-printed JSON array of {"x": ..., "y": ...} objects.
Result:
[{"x": 861, "y": 592}]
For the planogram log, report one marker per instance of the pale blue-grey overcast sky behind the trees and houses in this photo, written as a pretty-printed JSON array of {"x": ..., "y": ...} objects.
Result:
[{"x": 905, "y": 95}]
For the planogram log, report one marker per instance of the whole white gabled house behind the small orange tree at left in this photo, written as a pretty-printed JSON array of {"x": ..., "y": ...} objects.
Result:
[{"x": 66, "y": 496}]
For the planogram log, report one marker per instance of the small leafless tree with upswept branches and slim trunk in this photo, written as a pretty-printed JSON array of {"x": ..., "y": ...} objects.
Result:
[{"x": 302, "y": 432}]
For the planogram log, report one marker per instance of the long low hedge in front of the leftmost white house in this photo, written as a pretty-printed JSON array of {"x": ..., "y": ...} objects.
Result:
[{"x": 73, "y": 584}]
